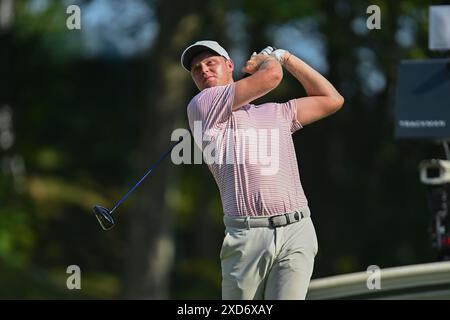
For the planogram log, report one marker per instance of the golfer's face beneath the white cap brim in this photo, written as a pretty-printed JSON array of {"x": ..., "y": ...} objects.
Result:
[{"x": 209, "y": 70}]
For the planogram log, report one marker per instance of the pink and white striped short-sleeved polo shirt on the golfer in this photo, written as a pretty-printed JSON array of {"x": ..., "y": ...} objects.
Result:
[{"x": 249, "y": 151}]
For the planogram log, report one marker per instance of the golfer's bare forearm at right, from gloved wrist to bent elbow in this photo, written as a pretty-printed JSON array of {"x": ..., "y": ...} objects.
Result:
[{"x": 314, "y": 83}]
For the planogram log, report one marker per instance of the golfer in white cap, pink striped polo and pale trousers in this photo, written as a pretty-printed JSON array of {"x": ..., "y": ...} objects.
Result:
[{"x": 270, "y": 243}]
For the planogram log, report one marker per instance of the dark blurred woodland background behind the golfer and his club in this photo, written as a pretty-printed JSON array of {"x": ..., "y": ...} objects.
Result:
[{"x": 83, "y": 114}]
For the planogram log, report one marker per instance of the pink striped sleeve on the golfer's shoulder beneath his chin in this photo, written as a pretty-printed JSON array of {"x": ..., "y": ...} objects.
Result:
[{"x": 212, "y": 107}]
